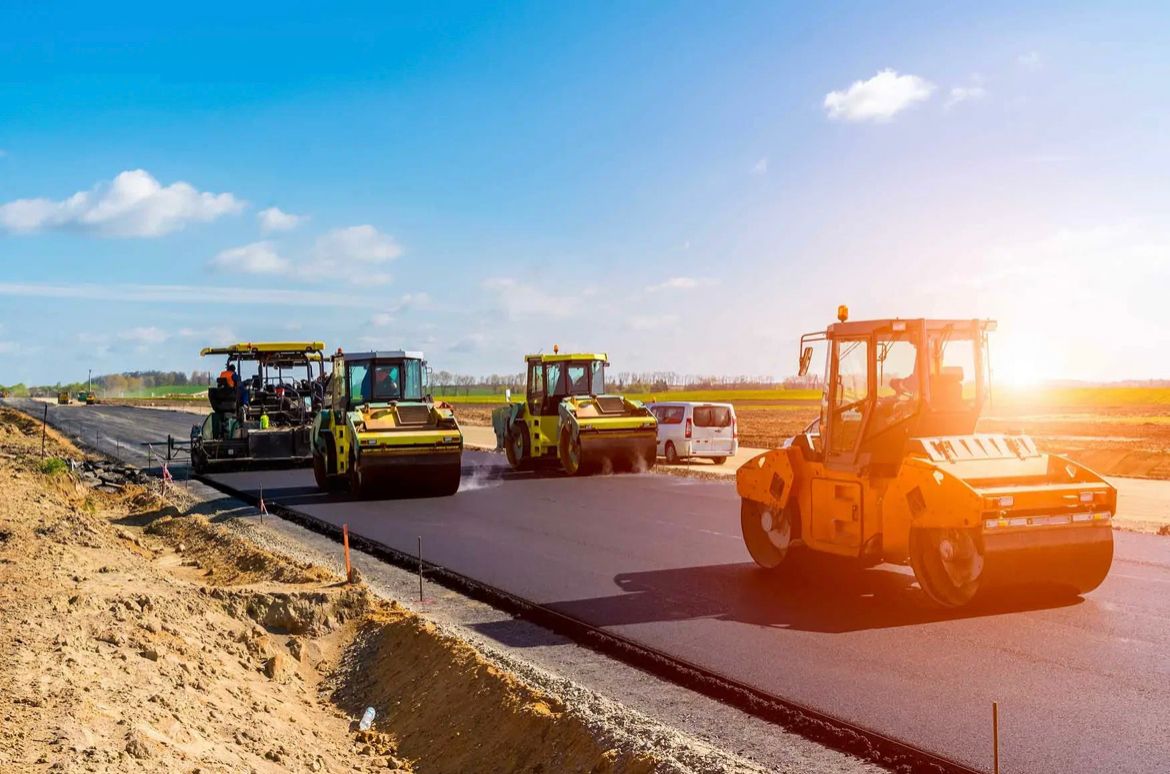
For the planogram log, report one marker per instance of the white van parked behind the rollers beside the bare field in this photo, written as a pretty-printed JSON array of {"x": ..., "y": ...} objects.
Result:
[{"x": 697, "y": 431}]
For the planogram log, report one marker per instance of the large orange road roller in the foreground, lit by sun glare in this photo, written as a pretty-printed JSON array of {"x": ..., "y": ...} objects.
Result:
[{"x": 894, "y": 472}]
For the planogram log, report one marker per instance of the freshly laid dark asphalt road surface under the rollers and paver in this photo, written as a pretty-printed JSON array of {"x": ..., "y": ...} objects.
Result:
[{"x": 1083, "y": 685}]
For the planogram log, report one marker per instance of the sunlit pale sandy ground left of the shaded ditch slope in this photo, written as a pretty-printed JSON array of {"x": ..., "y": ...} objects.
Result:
[{"x": 120, "y": 658}]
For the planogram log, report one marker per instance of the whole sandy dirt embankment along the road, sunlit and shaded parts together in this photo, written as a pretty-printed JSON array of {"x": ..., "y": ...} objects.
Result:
[{"x": 141, "y": 638}]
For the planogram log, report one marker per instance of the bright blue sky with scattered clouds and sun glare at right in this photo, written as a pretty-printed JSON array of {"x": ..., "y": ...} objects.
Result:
[{"x": 687, "y": 186}]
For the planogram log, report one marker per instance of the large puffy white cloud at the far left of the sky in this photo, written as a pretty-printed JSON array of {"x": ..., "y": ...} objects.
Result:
[{"x": 134, "y": 204}]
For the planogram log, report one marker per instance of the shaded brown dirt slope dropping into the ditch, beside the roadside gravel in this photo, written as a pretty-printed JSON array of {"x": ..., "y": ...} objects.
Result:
[{"x": 449, "y": 707}]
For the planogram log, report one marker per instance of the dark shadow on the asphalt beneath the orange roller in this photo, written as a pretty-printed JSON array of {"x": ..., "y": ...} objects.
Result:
[{"x": 813, "y": 599}]
